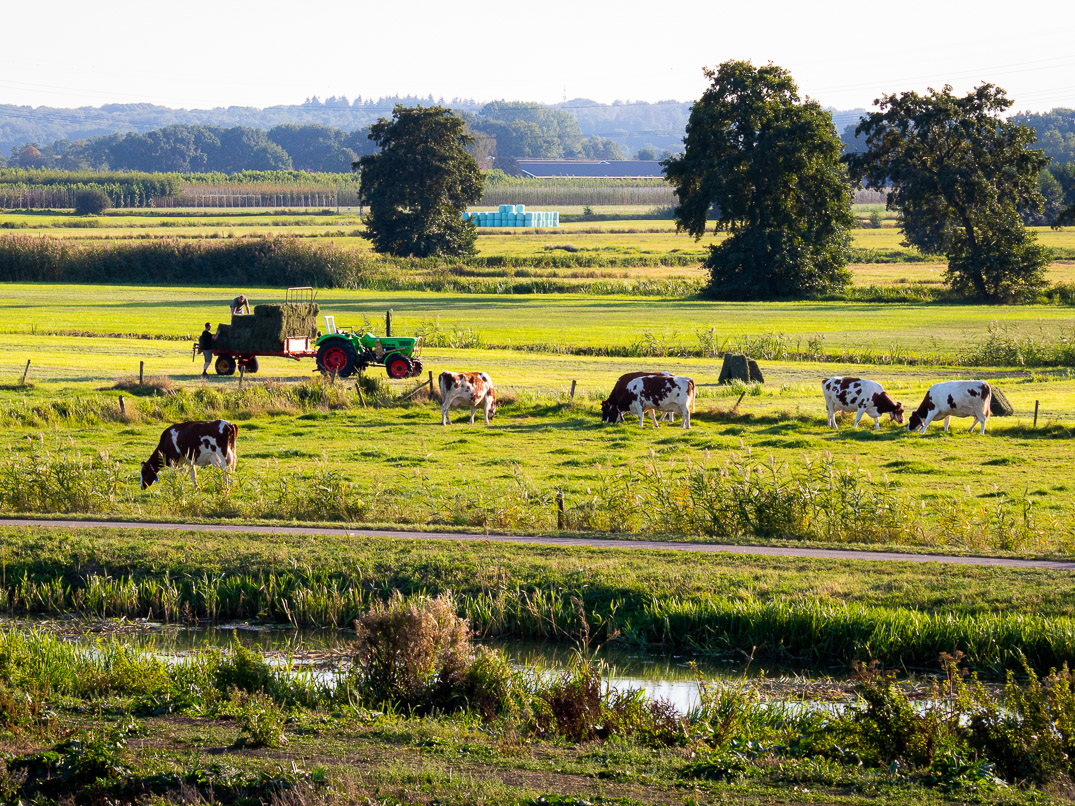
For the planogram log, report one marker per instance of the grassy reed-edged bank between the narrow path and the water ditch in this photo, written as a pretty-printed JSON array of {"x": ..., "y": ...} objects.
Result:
[{"x": 812, "y": 614}]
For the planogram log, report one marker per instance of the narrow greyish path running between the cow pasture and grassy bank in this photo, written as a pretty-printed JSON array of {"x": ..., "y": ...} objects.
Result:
[{"x": 590, "y": 542}]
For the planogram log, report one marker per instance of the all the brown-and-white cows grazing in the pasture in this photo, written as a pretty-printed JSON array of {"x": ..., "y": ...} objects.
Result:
[{"x": 205, "y": 443}]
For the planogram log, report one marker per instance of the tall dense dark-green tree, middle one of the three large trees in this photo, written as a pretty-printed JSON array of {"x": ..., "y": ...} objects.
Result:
[{"x": 768, "y": 165}]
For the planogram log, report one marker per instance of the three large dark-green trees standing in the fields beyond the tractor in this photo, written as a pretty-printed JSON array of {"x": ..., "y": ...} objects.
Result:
[{"x": 770, "y": 169}]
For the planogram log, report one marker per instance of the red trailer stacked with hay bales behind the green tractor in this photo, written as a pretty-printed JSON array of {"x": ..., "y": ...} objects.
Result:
[{"x": 288, "y": 330}]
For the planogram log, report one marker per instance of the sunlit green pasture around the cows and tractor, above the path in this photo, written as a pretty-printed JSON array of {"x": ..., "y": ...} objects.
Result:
[{"x": 542, "y": 441}]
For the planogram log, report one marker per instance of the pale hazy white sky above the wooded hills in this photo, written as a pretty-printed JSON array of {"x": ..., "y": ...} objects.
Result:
[{"x": 198, "y": 54}]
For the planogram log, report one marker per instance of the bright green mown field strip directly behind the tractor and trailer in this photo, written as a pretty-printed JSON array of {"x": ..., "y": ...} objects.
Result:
[{"x": 866, "y": 333}]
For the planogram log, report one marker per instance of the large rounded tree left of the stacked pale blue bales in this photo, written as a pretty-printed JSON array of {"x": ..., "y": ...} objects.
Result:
[{"x": 420, "y": 183}]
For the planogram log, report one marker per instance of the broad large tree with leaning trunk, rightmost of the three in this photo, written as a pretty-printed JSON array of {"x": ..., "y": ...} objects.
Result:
[{"x": 959, "y": 175}]
